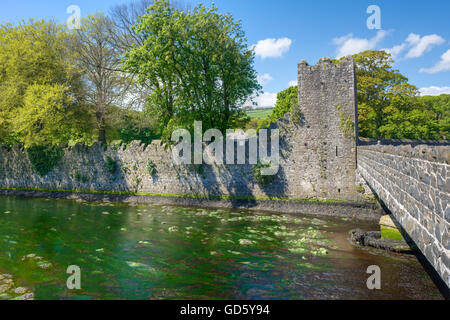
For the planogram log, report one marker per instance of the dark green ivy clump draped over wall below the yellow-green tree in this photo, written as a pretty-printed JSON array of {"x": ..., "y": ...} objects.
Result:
[{"x": 44, "y": 158}]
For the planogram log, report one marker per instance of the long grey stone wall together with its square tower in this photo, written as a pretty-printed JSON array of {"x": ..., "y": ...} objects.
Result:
[{"x": 317, "y": 154}]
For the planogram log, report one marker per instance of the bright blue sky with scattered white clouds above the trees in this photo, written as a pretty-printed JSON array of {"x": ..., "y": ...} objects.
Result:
[{"x": 284, "y": 32}]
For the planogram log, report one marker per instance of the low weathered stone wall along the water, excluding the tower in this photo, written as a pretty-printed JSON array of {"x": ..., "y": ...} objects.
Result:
[{"x": 83, "y": 168}]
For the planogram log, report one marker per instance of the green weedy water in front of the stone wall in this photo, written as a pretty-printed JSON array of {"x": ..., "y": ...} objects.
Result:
[{"x": 164, "y": 252}]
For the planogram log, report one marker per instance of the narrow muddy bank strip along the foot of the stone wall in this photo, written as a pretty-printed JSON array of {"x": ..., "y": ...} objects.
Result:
[{"x": 336, "y": 208}]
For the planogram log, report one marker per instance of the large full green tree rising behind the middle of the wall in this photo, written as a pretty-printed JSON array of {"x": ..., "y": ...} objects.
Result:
[{"x": 196, "y": 63}]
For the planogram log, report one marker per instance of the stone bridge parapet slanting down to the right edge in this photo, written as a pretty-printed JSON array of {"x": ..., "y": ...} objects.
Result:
[{"x": 412, "y": 180}]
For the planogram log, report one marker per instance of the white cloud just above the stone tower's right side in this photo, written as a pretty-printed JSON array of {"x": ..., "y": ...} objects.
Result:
[{"x": 348, "y": 45}]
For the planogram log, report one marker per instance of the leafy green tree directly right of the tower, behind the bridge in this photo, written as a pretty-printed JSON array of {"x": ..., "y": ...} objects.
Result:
[{"x": 390, "y": 107}]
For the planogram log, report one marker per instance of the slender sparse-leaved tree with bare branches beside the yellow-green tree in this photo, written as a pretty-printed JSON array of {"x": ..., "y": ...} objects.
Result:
[{"x": 96, "y": 54}]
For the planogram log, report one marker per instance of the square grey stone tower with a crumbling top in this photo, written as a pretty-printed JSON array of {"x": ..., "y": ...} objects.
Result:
[{"x": 327, "y": 101}]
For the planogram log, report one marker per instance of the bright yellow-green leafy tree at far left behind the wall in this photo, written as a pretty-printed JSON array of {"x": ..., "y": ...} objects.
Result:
[{"x": 40, "y": 90}]
